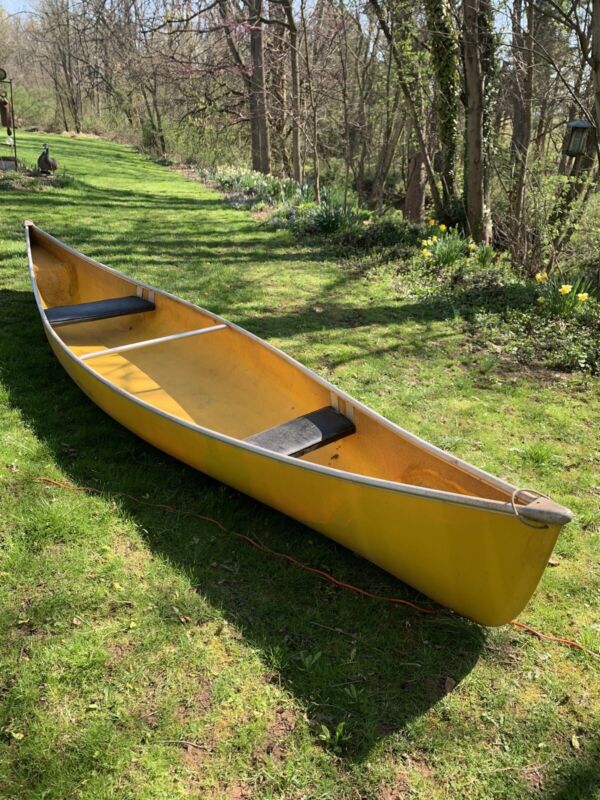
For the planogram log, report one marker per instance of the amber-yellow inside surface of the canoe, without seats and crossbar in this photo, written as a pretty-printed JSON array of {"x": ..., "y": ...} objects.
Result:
[{"x": 225, "y": 380}]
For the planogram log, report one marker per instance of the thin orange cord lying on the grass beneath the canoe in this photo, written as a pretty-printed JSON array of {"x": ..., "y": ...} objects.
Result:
[{"x": 321, "y": 573}]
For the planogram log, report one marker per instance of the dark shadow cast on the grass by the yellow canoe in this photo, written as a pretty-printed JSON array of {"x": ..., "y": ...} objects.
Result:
[{"x": 347, "y": 659}]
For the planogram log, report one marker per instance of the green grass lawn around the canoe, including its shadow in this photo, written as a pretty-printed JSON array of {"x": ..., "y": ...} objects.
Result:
[{"x": 128, "y": 631}]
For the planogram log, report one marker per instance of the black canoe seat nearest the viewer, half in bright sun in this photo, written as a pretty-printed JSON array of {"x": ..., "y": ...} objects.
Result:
[{"x": 303, "y": 434}]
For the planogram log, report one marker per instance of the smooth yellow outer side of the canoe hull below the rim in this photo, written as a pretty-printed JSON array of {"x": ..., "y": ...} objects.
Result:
[{"x": 482, "y": 564}]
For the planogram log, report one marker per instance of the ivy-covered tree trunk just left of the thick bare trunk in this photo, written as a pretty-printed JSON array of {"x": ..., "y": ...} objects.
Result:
[{"x": 445, "y": 55}]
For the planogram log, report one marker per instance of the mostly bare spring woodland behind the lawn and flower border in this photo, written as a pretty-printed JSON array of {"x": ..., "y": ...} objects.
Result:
[{"x": 456, "y": 109}]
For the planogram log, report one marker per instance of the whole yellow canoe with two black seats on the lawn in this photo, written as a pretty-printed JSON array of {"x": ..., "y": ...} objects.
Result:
[{"x": 229, "y": 404}]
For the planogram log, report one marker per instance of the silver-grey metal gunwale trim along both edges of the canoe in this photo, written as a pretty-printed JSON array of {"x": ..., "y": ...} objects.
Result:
[{"x": 495, "y": 506}]
